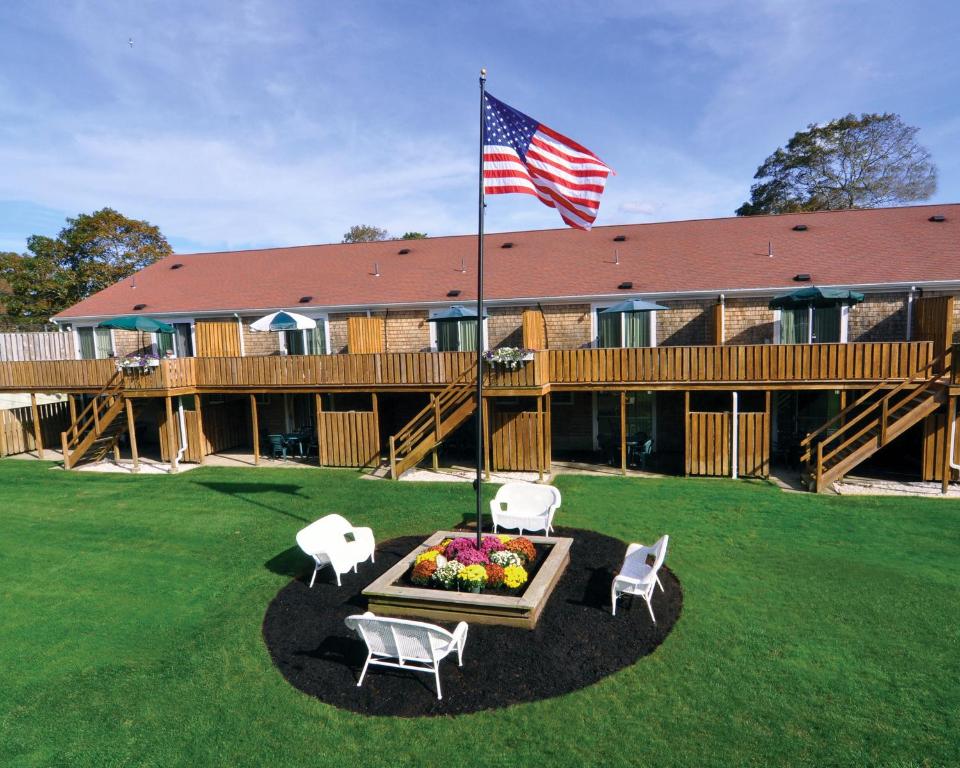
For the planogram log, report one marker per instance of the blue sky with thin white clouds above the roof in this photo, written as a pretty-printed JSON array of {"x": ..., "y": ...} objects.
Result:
[{"x": 242, "y": 124}]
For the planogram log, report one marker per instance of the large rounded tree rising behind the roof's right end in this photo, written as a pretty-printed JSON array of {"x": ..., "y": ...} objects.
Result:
[{"x": 869, "y": 161}]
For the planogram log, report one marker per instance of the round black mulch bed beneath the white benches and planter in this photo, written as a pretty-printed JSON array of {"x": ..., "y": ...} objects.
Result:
[{"x": 576, "y": 643}]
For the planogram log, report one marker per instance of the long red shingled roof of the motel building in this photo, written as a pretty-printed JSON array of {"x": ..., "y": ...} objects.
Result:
[{"x": 892, "y": 245}]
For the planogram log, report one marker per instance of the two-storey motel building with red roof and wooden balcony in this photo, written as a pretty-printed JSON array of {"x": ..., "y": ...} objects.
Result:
[{"x": 823, "y": 342}]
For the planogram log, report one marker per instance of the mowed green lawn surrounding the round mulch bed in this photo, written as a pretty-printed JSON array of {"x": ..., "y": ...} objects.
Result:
[{"x": 816, "y": 630}]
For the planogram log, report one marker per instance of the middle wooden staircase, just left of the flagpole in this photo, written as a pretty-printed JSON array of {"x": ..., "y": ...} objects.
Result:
[{"x": 425, "y": 431}]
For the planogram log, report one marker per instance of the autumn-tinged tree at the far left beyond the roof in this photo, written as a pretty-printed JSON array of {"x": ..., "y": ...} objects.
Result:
[{"x": 92, "y": 252}]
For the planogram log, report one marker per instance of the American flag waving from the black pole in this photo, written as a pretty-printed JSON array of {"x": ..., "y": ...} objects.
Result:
[{"x": 522, "y": 155}]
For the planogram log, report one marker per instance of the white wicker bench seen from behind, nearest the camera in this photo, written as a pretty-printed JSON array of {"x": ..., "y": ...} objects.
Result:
[{"x": 406, "y": 644}]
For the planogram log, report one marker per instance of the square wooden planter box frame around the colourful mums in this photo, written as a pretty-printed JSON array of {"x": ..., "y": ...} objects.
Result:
[{"x": 388, "y": 597}]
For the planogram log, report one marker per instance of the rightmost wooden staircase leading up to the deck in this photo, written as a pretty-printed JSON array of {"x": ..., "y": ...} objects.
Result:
[{"x": 874, "y": 420}]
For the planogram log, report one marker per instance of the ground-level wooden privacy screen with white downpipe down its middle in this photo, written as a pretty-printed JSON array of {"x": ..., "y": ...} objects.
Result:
[{"x": 709, "y": 444}]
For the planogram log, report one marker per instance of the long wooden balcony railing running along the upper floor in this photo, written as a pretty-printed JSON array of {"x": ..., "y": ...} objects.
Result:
[{"x": 705, "y": 367}]
